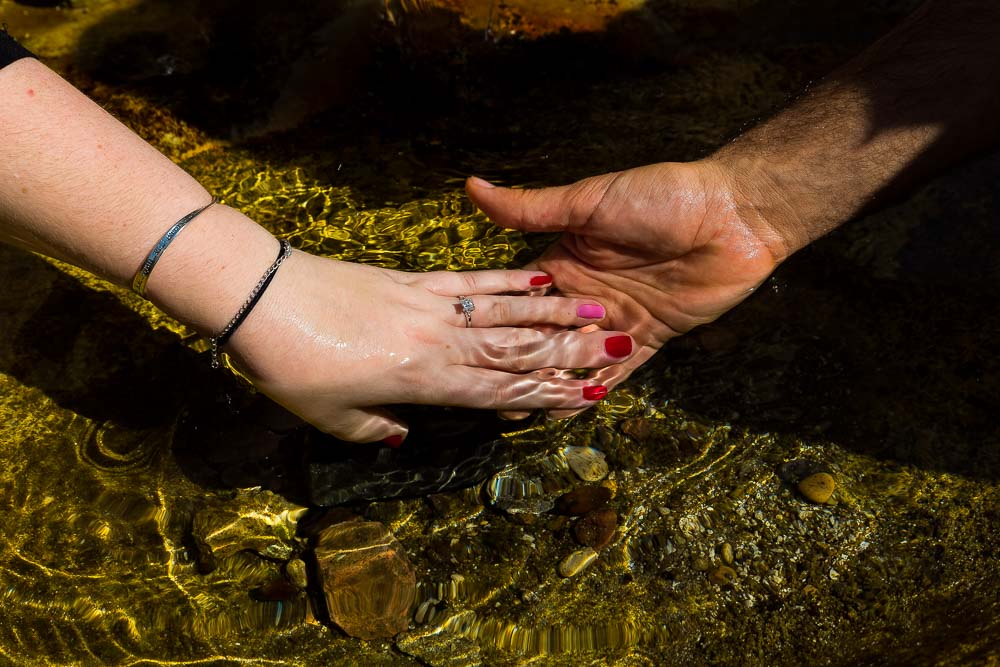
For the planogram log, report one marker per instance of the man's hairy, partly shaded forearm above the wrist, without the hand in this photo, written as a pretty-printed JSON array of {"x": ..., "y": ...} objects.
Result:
[{"x": 920, "y": 98}]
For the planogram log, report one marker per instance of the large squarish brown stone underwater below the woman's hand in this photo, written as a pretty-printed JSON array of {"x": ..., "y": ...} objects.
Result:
[{"x": 367, "y": 580}]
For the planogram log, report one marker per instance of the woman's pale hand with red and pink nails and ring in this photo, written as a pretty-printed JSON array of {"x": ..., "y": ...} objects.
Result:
[{"x": 332, "y": 341}]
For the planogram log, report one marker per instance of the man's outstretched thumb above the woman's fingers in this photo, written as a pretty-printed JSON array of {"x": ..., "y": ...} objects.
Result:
[{"x": 543, "y": 210}]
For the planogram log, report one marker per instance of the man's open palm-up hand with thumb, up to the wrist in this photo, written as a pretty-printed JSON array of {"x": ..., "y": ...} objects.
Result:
[{"x": 664, "y": 247}]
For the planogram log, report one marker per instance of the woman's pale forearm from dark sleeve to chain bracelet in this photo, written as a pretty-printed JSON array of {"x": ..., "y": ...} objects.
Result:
[{"x": 77, "y": 185}]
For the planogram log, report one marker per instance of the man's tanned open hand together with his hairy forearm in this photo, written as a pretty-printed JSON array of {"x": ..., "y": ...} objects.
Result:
[{"x": 670, "y": 246}]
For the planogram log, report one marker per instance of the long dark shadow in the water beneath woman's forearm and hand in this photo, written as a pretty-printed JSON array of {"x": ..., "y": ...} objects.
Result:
[{"x": 92, "y": 355}]
